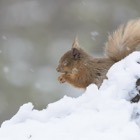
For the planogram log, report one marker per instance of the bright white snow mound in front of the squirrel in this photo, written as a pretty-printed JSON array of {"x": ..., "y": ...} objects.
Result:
[{"x": 98, "y": 114}]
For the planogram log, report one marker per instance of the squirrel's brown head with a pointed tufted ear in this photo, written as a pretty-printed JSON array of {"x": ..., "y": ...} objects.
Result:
[{"x": 70, "y": 62}]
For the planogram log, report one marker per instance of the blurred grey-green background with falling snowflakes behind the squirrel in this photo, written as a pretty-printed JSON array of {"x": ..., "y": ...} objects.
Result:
[{"x": 35, "y": 33}]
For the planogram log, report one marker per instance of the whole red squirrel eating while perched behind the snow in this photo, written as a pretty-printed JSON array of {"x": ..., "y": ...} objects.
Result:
[{"x": 80, "y": 69}]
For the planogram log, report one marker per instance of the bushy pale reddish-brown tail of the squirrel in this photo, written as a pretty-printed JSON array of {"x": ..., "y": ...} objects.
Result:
[{"x": 123, "y": 41}]
